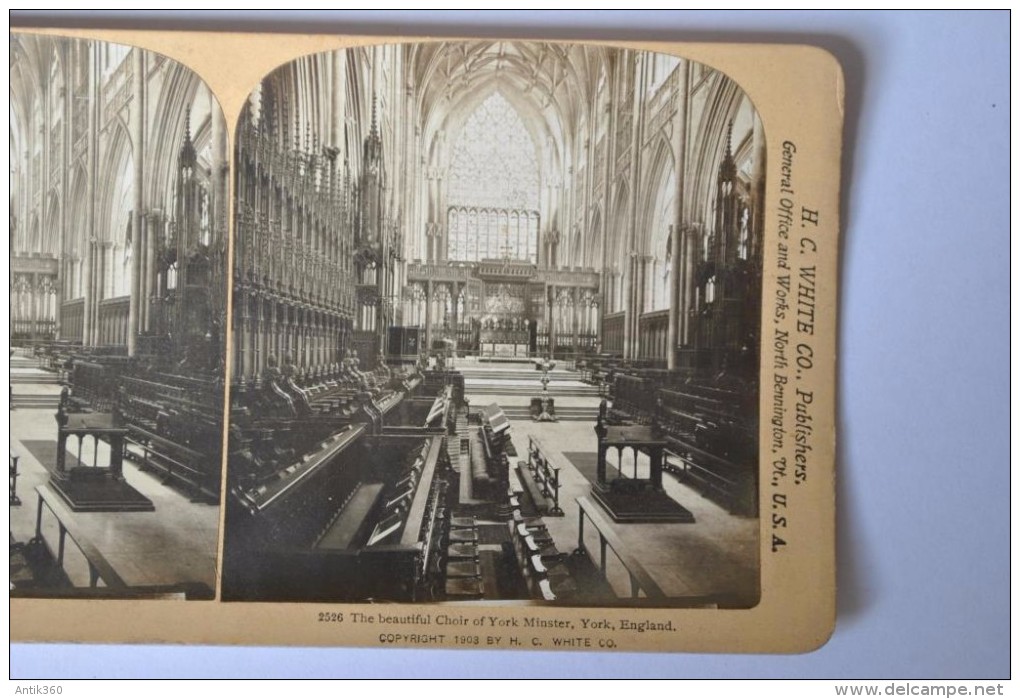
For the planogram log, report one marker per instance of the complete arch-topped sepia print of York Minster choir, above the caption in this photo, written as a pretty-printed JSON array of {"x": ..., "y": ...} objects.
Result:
[{"x": 496, "y": 330}]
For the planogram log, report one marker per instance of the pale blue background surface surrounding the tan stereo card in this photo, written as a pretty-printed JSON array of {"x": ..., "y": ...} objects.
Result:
[{"x": 924, "y": 458}]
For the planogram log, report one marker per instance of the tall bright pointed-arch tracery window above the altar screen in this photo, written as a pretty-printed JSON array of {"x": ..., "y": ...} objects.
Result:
[{"x": 494, "y": 187}]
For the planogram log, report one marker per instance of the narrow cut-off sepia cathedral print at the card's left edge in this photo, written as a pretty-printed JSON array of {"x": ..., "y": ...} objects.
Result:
[{"x": 119, "y": 167}]
